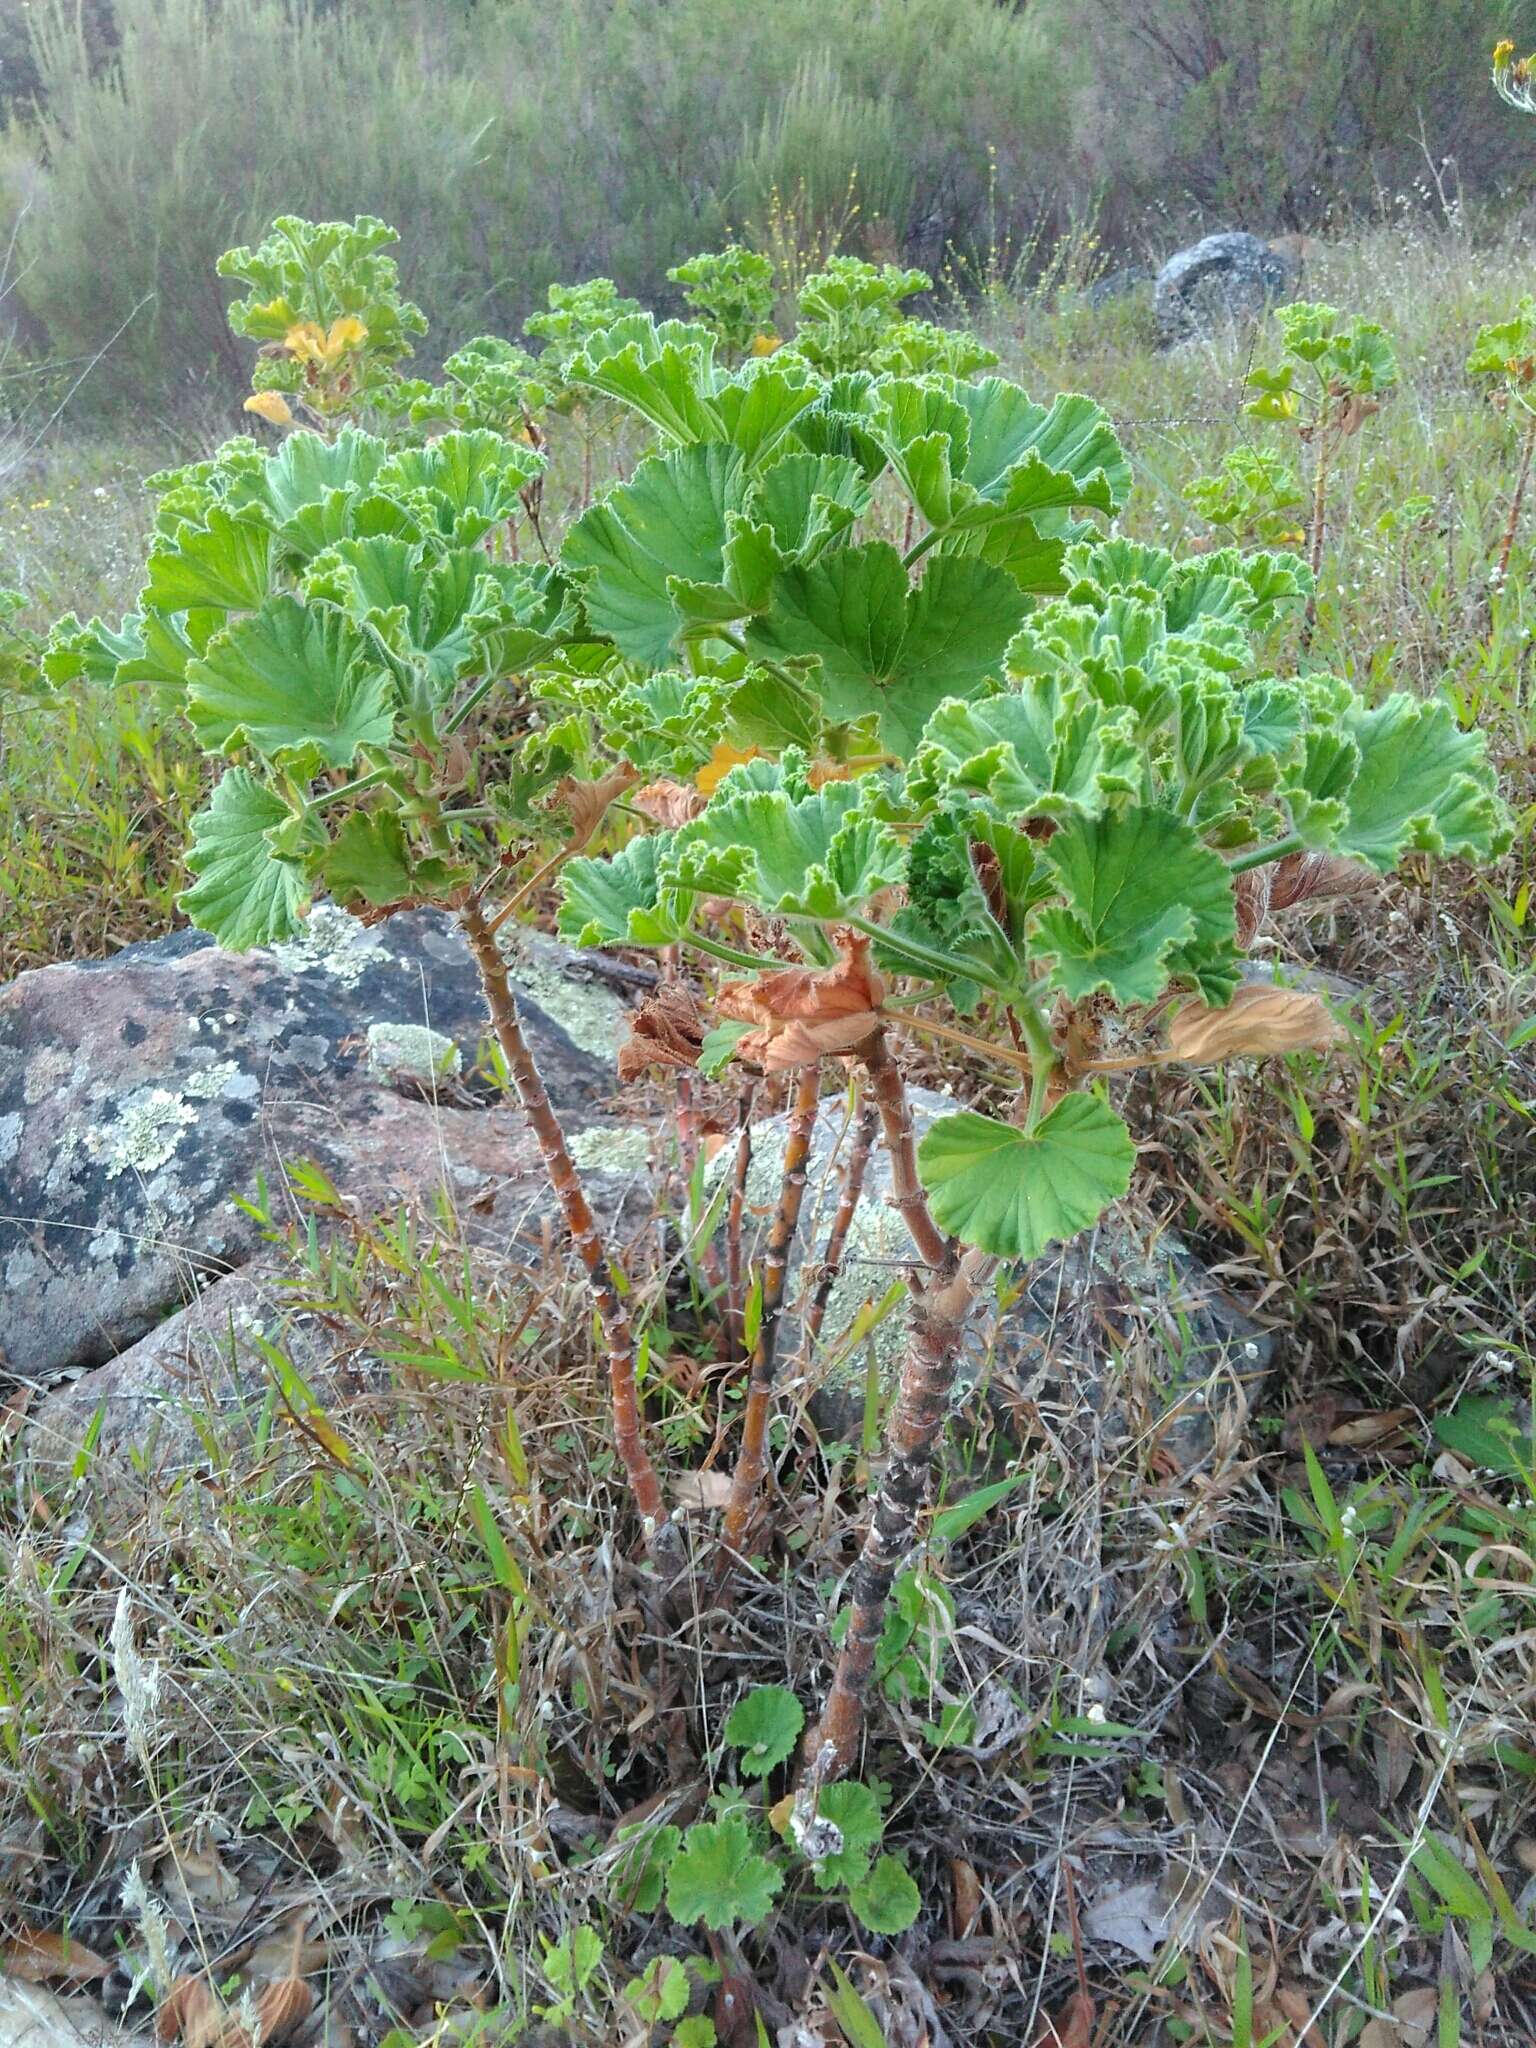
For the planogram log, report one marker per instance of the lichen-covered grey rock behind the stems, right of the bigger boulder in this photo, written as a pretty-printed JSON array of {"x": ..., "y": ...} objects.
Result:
[{"x": 1119, "y": 1293}]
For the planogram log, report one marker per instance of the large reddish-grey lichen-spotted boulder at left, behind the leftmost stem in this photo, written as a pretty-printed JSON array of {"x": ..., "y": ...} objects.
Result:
[{"x": 142, "y": 1097}]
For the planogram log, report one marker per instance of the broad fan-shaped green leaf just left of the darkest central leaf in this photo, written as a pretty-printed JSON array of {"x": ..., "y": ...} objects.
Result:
[{"x": 667, "y": 525}]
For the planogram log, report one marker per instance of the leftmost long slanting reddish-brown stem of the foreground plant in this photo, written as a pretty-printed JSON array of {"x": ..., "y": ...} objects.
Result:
[{"x": 566, "y": 1185}]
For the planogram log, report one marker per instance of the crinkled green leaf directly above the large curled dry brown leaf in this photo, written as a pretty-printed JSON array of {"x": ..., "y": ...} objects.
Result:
[{"x": 820, "y": 855}]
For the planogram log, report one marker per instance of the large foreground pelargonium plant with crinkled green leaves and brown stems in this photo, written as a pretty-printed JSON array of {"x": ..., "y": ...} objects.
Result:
[{"x": 1011, "y": 785}]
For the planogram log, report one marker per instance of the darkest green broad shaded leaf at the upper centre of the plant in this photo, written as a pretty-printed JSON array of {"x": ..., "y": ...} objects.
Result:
[{"x": 886, "y": 648}]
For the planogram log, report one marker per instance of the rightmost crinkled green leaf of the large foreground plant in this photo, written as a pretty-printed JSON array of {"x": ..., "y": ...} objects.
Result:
[{"x": 1422, "y": 787}]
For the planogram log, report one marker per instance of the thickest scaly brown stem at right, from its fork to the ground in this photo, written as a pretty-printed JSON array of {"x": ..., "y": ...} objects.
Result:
[{"x": 916, "y": 1420}]
